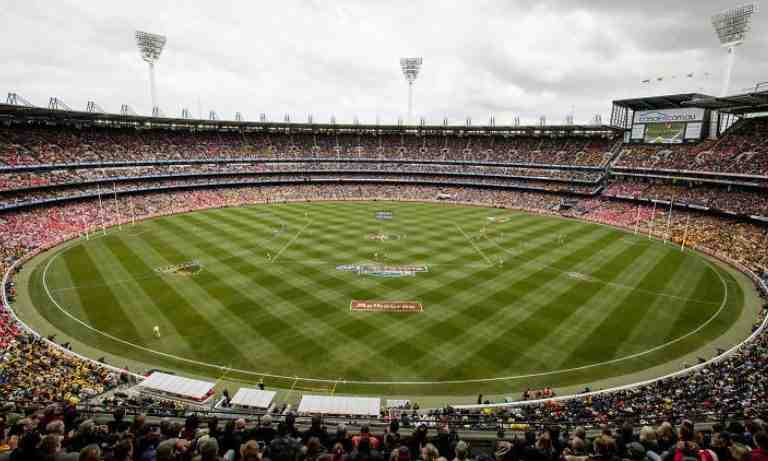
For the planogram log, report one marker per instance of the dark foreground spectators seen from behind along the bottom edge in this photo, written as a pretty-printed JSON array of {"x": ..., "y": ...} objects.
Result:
[{"x": 59, "y": 432}]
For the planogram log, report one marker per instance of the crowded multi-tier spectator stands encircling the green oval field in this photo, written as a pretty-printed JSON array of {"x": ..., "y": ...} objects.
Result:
[{"x": 57, "y": 169}]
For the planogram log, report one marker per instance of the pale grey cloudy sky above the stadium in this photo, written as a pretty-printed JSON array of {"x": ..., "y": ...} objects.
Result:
[{"x": 508, "y": 58}]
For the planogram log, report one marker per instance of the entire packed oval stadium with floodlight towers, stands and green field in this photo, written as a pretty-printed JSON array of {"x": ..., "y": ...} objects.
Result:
[{"x": 404, "y": 289}]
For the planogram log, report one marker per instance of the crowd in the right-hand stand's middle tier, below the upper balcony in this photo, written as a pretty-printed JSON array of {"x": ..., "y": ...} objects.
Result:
[{"x": 746, "y": 201}]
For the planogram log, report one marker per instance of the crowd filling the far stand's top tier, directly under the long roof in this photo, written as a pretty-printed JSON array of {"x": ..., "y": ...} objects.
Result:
[{"x": 28, "y": 144}]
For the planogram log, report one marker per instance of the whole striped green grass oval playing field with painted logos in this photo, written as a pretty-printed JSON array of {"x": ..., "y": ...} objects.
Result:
[{"x": 419, "y": 298}]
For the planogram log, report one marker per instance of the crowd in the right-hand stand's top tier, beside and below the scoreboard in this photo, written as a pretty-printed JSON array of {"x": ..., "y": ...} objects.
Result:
[{"x": 743, "y": 150}]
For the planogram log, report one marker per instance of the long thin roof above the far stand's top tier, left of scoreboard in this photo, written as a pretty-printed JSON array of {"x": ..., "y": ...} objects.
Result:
[{"x": 44, "y": 115}]
